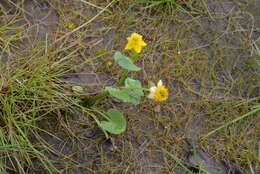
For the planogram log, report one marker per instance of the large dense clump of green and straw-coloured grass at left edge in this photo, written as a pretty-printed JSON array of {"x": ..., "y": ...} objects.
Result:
[{"x": 26, "y": 96}]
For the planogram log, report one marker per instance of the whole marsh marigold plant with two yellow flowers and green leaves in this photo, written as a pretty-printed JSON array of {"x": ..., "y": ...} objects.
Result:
[{"x": 126, "y": 89}]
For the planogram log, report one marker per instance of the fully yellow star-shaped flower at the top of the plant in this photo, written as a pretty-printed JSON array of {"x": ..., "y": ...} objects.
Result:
[{"x": 135, "y": 42}]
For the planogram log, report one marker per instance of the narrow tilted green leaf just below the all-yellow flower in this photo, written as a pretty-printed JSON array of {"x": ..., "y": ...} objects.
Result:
[{"x": 125, "y": 62}]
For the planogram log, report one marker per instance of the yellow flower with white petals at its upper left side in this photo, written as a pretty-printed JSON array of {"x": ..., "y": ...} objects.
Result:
[{"x": 159, "y": 92}]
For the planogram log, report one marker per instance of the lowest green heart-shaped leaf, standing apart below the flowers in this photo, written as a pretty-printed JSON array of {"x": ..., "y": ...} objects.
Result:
[{"x": 116, "y": 123}]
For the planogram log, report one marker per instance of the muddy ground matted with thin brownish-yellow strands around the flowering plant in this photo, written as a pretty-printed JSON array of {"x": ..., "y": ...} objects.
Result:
[{"x": 184, "y": 50}]
